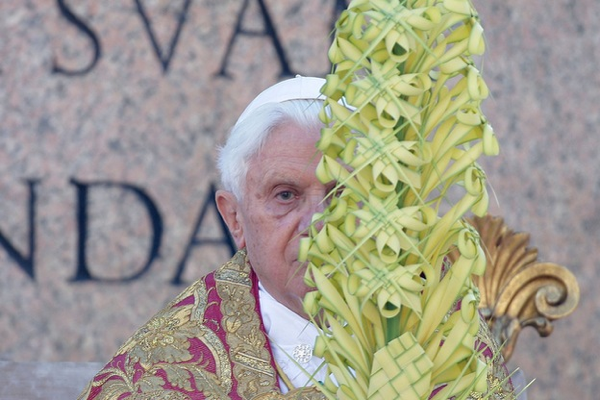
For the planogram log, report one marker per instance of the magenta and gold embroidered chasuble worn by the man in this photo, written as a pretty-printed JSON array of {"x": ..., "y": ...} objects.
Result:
[{"x": 210, "y": 343}]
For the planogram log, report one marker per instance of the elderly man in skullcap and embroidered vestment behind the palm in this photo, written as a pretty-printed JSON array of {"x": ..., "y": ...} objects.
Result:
[{"x": 240, "y": 332}]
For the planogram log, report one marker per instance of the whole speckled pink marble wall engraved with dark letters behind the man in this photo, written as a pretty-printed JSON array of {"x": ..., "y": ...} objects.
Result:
[{"x": 128, "y": 121}]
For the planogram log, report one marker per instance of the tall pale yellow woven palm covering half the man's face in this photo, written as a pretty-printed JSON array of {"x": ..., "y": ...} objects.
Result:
[{"x": 411, "y": 131}]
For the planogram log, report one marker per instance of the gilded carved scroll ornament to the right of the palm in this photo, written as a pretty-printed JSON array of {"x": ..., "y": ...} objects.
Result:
[{"x": 517, "y": 290}]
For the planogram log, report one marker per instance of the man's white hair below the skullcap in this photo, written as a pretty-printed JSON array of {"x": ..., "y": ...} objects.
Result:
[{"x": 249, "y": 135}]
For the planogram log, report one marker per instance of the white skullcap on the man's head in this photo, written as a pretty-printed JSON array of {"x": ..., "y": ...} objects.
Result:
[{"x": 298, "y": 88}]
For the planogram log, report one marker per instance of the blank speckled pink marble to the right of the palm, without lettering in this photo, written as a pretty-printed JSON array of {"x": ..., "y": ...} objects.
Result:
[{"x": 542, "y": 70}]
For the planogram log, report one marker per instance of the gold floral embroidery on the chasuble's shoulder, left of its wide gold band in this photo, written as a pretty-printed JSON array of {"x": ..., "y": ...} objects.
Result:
[{"x": 163, "y": 344}]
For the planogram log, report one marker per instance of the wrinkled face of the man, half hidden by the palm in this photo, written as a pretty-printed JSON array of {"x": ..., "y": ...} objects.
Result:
[{"x": 281, "y": 195}]
